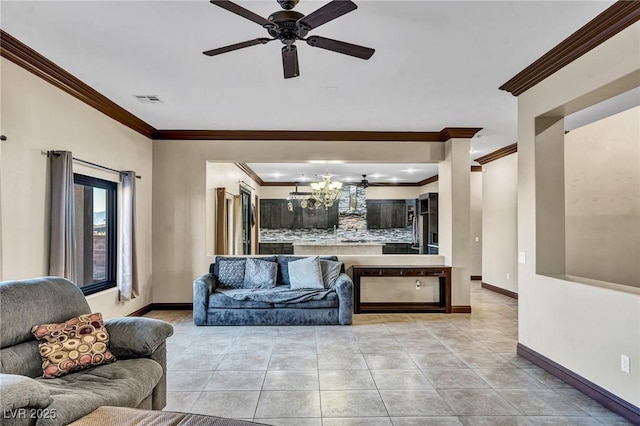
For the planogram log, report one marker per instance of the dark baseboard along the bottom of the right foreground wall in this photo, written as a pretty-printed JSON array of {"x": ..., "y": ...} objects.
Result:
[{"x": 602, "y": 396}]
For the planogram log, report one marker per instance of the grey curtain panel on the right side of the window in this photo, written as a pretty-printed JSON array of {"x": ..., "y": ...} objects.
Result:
[{"x": 128, "y": 282}]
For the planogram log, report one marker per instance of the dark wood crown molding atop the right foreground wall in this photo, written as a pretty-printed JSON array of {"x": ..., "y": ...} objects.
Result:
[{"x": 604, "y": 26}]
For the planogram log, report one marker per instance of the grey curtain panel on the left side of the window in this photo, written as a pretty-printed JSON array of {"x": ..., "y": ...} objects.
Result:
[{"x": 62, "y": 248}]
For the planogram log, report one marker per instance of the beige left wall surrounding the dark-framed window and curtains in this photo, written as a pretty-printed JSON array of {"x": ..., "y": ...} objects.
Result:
[{"x": 36, "y": 116}]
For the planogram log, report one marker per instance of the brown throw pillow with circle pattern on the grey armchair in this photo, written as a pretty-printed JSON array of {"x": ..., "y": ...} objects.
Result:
[{"x": 76, "y": 344}]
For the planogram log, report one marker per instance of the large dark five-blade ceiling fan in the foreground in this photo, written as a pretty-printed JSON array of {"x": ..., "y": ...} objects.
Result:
[{"x": 288, "y": 26}]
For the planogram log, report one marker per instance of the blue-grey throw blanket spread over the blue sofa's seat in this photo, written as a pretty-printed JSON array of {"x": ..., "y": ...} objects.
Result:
[{"x": 277, "y": 295}]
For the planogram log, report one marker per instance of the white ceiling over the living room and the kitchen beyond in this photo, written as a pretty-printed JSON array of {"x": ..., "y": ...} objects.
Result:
[{"x": 437, "y": 63}]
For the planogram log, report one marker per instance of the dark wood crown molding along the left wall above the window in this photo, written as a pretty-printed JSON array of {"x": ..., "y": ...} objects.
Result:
[{"x": 27, "y": 58}]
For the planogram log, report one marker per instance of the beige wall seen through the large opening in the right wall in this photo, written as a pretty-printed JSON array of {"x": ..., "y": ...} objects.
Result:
[{"x": 602, "y": 203}]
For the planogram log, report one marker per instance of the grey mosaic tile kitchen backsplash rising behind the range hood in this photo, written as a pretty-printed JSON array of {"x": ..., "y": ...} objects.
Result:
[{"x": 352, "y": 224}]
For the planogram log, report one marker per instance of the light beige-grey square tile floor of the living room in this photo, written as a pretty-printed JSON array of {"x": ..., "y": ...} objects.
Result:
[{"x": 417, "y": 369}]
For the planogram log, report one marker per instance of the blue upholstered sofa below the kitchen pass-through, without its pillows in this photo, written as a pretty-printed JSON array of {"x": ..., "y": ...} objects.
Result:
[{"x": 212, "y": 304}]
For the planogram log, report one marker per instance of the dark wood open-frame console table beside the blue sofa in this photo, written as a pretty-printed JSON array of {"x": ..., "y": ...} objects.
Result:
[{"x": 440, "y": 271}]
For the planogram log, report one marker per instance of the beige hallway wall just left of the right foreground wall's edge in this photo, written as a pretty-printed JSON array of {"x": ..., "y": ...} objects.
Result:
[{"x": 500, "y": 223}]
